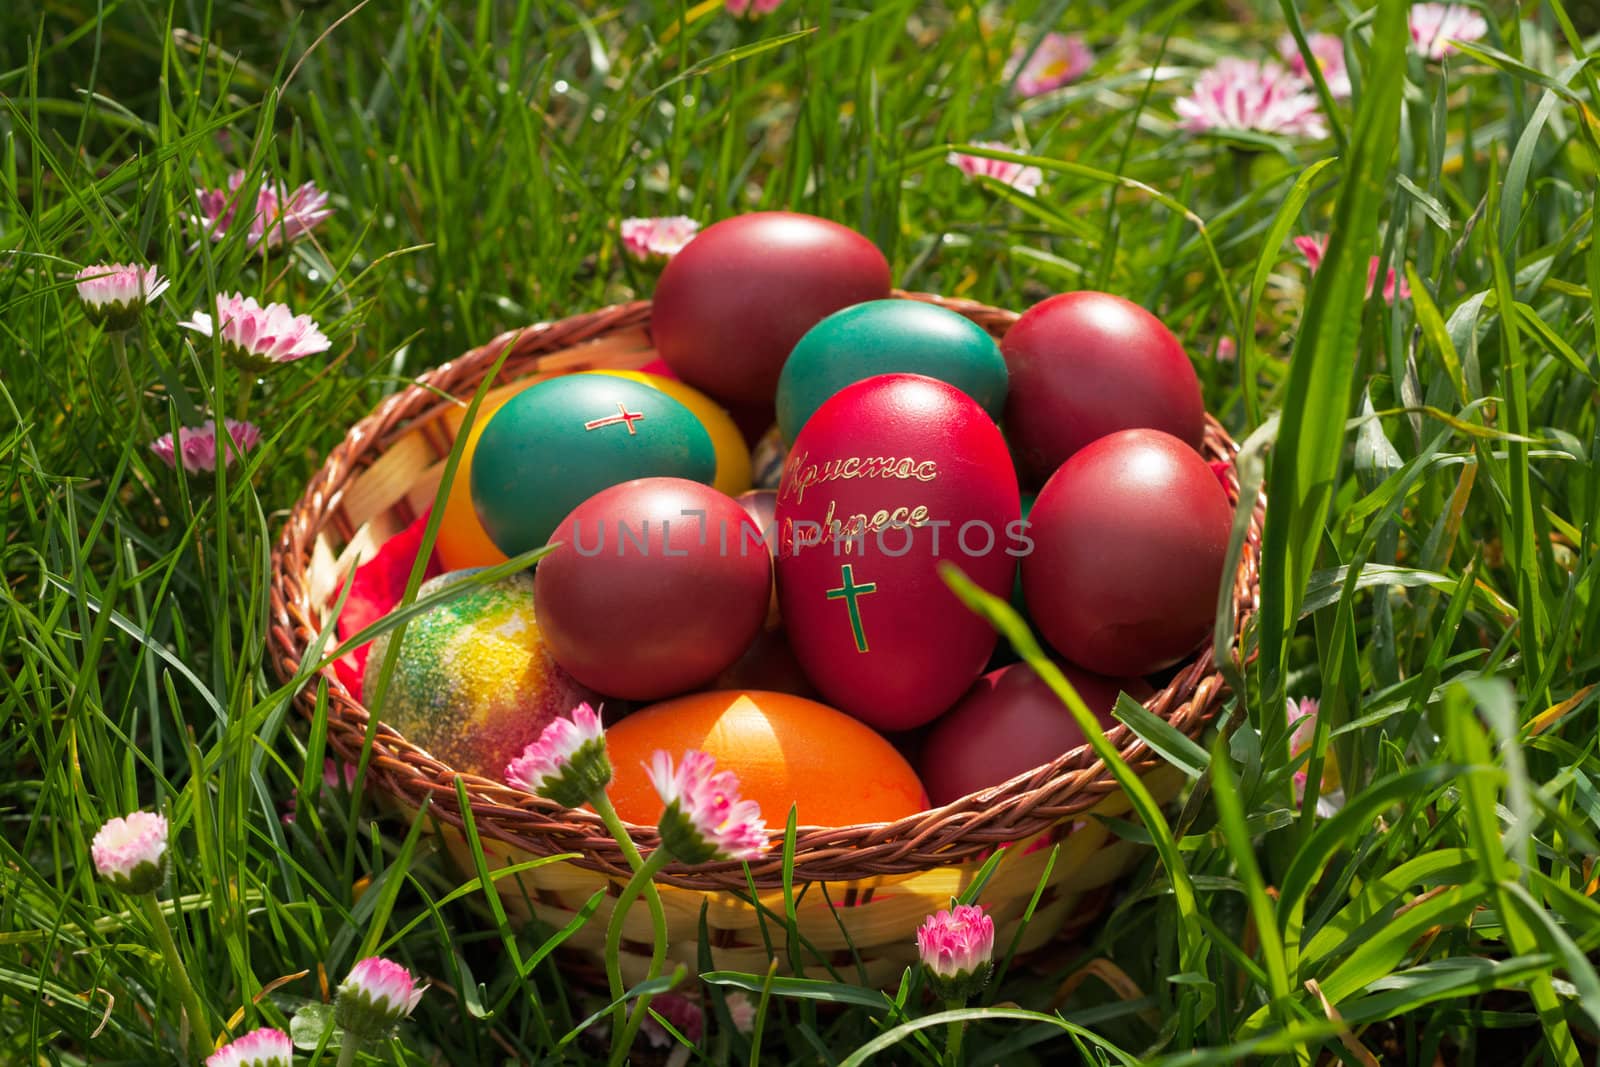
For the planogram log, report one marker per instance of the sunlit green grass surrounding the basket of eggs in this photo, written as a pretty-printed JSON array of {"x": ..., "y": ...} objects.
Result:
[{"x": 1431, "y": 569}]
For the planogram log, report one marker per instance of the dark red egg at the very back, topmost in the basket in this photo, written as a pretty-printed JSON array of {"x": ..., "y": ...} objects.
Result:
[{"x": 732, "y": 306}]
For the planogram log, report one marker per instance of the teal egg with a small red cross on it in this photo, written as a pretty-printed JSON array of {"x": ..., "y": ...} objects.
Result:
[{"x": 558, "y": 444}]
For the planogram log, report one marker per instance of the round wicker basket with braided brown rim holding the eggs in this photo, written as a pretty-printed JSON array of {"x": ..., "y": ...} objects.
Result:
[{"x": 860, "y": 890}]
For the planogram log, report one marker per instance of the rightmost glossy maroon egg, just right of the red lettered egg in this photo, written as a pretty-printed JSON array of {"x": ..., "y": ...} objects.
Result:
[{"x": 1130, "y": 540}]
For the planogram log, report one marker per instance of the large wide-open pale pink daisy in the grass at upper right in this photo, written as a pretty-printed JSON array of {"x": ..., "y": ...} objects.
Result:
[{"x": 1241, "y": 95}]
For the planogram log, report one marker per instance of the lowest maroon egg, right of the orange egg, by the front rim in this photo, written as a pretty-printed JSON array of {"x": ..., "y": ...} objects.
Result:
[{"x": 1009, "y": 724}]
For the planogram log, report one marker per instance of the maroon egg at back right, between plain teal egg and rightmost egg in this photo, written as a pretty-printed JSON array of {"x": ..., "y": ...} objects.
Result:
[{"x": 1090, "y": 364}]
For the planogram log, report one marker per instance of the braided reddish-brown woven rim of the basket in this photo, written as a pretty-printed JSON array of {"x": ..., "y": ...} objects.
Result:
[{"x": 964, "y": 831}]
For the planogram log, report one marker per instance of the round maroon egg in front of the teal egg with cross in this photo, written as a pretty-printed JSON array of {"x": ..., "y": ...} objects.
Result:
[{"x": 658, "y": 586}]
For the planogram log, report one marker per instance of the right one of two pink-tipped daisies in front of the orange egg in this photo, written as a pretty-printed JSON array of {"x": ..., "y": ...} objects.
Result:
[{"x": 706, "y": 820}]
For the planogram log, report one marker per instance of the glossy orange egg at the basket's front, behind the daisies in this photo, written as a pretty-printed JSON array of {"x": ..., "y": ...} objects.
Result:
[{"x": 785, "y": 749}]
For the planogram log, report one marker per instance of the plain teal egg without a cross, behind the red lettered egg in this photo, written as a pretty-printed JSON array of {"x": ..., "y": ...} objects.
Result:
[{"x": 889, "y": 338}]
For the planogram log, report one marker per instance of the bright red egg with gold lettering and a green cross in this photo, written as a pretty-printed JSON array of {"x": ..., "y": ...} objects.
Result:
[{"x": 889, "y": 479}]
